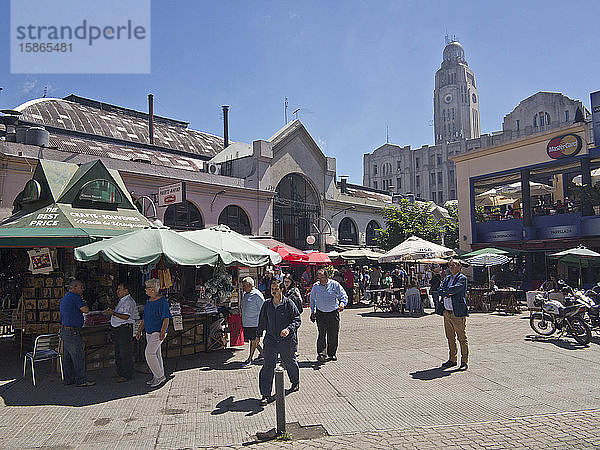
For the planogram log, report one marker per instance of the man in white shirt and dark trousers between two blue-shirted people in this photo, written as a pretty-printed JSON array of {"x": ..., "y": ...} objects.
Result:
[{"x": 122, "y": 319}]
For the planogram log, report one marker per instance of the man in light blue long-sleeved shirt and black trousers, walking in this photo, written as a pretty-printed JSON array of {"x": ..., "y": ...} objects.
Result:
[{"x": 327, "y": 299}]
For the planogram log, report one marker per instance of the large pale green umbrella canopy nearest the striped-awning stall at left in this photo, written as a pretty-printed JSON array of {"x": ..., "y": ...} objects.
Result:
[{"x": 148, "y": 245}]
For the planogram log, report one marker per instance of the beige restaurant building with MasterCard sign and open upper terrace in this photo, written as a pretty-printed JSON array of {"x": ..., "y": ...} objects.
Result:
[{"x": 533, "y": 192}]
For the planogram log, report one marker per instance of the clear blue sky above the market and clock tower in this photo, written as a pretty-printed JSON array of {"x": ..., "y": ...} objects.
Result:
[{"x": 352, "y": 67}]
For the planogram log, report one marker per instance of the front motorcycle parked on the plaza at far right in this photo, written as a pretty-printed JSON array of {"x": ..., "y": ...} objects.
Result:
[{"x": 554, "y": 317}]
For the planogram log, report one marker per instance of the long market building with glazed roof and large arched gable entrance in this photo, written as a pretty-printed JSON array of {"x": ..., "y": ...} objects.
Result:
[{"x": 283, "y": 186}]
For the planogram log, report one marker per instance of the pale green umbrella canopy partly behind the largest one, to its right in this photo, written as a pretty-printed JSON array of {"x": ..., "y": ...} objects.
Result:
[{"x": 240, "y": 249}]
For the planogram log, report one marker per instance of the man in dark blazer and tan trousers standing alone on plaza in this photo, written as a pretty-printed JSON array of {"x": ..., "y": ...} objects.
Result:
[{"x": 453, "y": 291}]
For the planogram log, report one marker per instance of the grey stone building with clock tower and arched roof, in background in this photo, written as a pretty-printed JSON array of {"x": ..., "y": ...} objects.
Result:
[{"x": 428, "y": 172}]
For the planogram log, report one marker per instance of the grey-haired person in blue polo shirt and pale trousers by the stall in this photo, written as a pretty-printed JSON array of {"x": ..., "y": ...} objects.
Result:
[{"x": 156, "y": 324}]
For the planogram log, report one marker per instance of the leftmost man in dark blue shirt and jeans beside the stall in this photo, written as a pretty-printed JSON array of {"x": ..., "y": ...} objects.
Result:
[{"x": 72, "y": 308}]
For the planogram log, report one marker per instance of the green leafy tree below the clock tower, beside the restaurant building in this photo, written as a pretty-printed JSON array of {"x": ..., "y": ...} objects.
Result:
[{"x": 410, "y": 219}]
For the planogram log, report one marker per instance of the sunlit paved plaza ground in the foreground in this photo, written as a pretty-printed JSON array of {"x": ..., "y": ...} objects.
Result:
[{"x": 385, "y": 391}]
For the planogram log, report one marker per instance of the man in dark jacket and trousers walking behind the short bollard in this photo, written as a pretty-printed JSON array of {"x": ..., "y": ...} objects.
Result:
[{"x": 280, "y": 318}]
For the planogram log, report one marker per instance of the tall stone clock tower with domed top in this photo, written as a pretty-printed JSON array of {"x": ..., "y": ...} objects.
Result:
[{"x": 455, "y": 97}]
